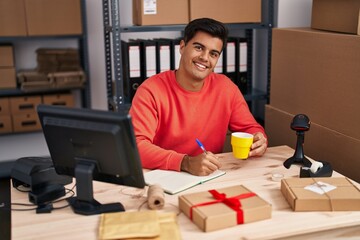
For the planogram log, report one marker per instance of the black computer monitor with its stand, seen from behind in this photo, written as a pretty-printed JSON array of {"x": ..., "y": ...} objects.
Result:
[{"x": 92, "y": 145}]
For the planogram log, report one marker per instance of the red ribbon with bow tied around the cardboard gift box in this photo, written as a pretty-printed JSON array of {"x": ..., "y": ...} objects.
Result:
[{"x": 232, "y": 202}]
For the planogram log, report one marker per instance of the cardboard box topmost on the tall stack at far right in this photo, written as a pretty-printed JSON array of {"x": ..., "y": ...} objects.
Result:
[{"x": 335, "y": 15}]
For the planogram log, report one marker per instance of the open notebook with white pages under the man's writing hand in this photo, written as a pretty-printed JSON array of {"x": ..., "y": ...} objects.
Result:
[{"x": 174, "y": 182}]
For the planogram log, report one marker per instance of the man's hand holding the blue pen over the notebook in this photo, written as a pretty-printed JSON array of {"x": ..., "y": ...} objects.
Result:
[{"x": 200, "y": 165}]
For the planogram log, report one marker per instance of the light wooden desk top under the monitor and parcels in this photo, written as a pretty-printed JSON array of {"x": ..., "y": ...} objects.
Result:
[{"x": 253, "y": 173}]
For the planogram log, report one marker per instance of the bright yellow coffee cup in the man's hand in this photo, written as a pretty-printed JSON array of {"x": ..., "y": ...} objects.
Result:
[{"x": 241, "y": 143}]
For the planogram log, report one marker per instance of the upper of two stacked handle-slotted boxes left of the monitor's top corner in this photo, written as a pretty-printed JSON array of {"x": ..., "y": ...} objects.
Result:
[{"x": 26, "y": 104}]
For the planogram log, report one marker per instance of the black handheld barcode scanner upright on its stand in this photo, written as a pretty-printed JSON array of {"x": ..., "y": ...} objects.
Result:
[{"x": 300, "y": 124}]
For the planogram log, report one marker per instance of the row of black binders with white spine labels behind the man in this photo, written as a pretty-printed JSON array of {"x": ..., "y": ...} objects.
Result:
[{"x": 143, "y": 58}]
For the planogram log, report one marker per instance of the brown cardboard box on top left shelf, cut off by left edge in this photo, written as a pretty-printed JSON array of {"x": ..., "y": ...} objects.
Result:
[{"x": 12, "y": 18}]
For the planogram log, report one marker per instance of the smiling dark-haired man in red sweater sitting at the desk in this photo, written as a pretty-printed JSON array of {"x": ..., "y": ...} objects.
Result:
[{"x": 172, "y": 109}]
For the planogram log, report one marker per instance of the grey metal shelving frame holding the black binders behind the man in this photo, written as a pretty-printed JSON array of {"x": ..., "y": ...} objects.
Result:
[{"x": 258, "y": 67}]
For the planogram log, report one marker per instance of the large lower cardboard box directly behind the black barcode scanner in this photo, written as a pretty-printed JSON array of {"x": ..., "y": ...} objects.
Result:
[{"x": 320, "y": 143}]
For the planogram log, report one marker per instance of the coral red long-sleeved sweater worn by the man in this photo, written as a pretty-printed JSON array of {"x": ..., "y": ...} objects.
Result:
[{"x": 167, "y": 119}]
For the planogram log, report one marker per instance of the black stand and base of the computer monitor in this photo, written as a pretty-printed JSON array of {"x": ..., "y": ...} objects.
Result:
[{"x": 84, "y": 202}]
